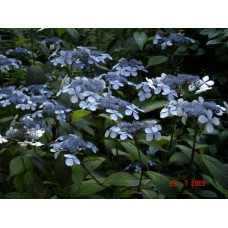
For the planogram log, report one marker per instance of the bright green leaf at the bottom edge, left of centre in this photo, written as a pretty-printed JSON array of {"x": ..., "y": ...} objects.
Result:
[{"x": 88, "y": 188}]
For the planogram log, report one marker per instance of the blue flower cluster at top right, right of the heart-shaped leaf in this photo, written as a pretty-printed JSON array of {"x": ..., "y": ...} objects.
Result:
[{"x": 173, "y": 38}]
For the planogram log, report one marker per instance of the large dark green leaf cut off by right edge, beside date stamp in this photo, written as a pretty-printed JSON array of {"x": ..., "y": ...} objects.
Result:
[{"x": 218, "y": 170}]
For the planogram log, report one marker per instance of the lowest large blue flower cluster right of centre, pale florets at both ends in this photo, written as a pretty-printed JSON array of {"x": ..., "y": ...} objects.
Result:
[{"x": 130, "y": 130}]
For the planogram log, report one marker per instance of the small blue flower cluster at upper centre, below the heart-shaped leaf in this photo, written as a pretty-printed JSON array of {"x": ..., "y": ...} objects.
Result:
[{"x": 128, "y": 68}]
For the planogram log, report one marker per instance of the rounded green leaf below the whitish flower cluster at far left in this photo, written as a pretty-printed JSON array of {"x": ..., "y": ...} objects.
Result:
[{"x": 19, "y": 165}]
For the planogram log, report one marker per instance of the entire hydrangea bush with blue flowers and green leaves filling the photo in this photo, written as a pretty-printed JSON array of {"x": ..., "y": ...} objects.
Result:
[{"x": 143, "y": 121}]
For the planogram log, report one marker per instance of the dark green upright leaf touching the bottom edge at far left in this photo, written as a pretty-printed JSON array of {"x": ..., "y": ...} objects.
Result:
[{"x": 33, "y": 184}]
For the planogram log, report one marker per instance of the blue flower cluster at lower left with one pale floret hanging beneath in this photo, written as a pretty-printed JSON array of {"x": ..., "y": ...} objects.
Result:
[{"x": 73, "y": 145}]
